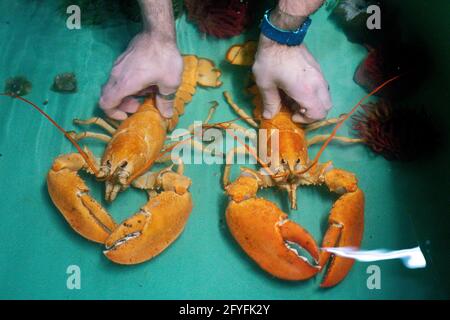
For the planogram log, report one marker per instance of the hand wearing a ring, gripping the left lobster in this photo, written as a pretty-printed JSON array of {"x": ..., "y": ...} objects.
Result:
[{"x": 149, "y": 61}]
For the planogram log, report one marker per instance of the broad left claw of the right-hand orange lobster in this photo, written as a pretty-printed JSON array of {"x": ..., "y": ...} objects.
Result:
[{"x": 264, "y": 232}]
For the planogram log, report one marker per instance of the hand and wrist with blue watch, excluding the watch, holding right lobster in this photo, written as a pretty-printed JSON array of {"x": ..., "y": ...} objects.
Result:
[{"x": 291, "y": 68}]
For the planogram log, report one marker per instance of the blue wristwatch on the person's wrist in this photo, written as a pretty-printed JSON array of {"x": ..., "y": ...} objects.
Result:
[{"x": 289, "y": 38}]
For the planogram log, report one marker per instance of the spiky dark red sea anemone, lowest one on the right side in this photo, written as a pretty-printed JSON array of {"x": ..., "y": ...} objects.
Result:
[{"x": 397, "y": 133}]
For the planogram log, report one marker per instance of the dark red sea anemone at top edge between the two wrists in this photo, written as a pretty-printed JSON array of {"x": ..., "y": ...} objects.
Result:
[{"x": 220, "y": 18}]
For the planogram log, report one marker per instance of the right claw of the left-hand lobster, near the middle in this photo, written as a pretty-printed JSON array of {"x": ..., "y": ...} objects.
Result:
[{"x": 150, "y": 231}]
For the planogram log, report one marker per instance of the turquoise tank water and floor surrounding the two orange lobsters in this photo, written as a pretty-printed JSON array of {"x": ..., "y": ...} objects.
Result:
[{"x": 37, "y": 245}]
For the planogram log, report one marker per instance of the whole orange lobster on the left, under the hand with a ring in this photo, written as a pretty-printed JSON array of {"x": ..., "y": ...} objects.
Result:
[{"x": 132, "y": 148}]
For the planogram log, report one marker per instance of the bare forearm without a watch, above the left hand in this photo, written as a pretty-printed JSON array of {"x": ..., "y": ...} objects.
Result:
[{"x": 158, "y": 18}]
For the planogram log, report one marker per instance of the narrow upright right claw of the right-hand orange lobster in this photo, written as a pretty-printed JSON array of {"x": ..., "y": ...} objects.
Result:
[{"x": 346, "y": 225}]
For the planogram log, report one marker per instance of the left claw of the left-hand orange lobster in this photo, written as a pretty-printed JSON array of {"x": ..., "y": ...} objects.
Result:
[{"x": 70, "y": 195}]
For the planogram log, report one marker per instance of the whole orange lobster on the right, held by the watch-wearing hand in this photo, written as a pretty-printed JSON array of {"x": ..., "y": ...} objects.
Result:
[{"x": 263, "y": 230}]
